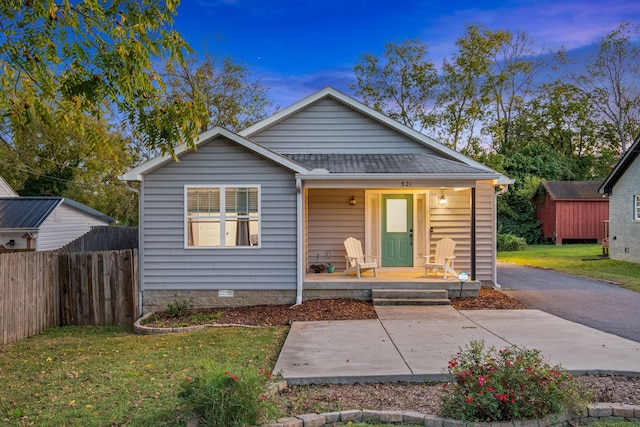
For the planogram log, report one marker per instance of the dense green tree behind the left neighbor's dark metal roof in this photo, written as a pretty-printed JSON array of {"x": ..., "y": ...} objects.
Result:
[{"x": 43, "y": 161}]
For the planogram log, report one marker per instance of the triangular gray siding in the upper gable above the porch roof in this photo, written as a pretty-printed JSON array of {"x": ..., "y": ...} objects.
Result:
[{"x": 331, "y": 127}]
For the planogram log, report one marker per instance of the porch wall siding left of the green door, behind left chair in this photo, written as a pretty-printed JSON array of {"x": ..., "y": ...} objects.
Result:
[{"x": 330, "y": 220}]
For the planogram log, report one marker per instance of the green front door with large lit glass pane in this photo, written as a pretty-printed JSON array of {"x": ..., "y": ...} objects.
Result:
[{"x": 397, "y": 230}]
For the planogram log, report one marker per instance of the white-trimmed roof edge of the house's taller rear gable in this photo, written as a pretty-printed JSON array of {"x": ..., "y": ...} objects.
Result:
[{"x": 330, "y": 92}]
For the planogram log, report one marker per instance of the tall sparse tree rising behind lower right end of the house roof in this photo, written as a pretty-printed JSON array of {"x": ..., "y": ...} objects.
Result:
[{"x": 485, "y": 86}]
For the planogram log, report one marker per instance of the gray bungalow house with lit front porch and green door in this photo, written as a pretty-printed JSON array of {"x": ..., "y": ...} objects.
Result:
[{"x": 240, "y": 220}]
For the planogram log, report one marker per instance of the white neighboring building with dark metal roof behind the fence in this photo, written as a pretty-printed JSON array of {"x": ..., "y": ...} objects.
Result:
[{"x": 44, "y": 223}]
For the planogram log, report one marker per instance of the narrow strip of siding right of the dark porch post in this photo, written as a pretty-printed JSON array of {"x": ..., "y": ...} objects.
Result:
[{"x": 485, "y": 229}]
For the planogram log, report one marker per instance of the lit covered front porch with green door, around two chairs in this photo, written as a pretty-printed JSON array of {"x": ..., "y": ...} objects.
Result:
[{"x": 399, "y": 238}]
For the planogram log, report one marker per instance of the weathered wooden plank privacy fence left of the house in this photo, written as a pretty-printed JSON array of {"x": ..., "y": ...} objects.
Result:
[{"x": 39, "y": 290}]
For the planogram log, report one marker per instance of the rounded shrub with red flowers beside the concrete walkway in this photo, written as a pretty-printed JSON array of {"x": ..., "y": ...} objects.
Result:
[{"x": 510, "y": 384}]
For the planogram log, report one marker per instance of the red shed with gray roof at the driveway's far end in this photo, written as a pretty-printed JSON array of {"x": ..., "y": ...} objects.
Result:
[{"x": 571, "y": 211}]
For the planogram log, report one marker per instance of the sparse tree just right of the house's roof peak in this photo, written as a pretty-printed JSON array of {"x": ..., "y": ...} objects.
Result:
[{"x": 402, "y": 83}]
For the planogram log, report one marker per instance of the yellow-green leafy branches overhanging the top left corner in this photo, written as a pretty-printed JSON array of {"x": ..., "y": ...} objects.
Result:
[{"x": 64, "y": 59}]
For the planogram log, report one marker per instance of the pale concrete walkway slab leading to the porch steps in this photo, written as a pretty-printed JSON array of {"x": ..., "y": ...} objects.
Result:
[{"x": 415, "y": 344}]
